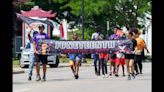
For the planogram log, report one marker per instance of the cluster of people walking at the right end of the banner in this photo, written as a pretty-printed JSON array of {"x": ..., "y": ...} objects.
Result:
[{"x": 133, "y": 60}]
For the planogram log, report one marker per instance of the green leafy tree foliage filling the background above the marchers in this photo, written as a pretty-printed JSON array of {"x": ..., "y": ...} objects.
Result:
[{"x": 124, "y": 13}]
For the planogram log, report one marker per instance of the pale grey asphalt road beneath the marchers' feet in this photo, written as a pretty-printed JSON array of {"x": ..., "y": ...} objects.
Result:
[{"x": 62, "y": 80}]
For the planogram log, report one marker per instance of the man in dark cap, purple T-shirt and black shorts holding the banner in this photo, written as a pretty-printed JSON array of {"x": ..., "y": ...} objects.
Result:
[{"x": 38, "y": 38}]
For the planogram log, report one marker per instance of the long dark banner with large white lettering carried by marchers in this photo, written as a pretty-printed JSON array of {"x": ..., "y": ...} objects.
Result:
[{"x": 50, "y": 47}]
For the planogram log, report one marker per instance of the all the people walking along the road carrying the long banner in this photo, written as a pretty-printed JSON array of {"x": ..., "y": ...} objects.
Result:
[{"x": 116, "y": 59}]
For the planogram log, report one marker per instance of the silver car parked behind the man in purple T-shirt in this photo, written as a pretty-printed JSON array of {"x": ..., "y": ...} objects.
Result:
[{"x": 53, "y": 60}]
